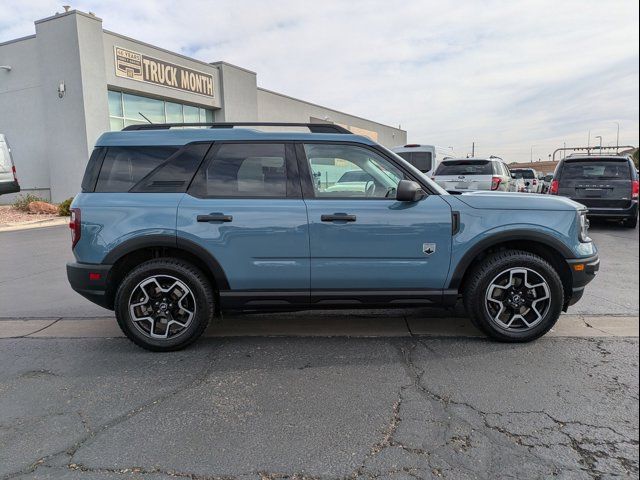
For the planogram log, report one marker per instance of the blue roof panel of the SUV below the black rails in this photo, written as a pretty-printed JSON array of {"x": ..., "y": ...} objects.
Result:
[{"x": 189, "y": 135}]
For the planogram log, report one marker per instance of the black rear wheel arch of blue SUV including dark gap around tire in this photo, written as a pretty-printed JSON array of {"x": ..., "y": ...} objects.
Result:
[{"x": 131, "y": 253}]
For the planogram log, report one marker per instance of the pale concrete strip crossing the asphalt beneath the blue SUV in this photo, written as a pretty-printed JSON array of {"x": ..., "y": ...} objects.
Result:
[{"x": 289, "y": 325}]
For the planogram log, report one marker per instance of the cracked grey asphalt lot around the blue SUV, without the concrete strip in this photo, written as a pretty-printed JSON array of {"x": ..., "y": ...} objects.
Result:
[{"x": 267, "y": 408}]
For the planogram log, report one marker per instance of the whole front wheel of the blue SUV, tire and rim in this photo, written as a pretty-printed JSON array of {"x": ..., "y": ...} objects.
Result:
[{"x": 514, "y": 296}]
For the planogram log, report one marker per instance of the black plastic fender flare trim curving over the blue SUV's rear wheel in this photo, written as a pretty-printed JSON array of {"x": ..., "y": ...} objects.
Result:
[{"x": 171, "y": 241}]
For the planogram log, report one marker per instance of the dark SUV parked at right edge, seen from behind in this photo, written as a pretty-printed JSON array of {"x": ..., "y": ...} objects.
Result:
[{"x": 606, "y": 185}]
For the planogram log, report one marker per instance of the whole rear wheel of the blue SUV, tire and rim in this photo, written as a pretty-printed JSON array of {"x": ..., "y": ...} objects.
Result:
[{"x": 164, "y": 304}]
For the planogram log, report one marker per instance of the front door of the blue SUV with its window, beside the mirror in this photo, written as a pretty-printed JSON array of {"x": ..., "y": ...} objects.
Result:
[{"x": 362, "y": 238}]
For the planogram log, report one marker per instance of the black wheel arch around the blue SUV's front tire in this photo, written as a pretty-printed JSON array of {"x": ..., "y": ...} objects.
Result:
[{"x": 547, "y": 247}]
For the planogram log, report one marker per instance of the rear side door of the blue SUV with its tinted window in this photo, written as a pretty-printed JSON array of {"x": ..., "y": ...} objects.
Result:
[{"x": 245, "y": 207}]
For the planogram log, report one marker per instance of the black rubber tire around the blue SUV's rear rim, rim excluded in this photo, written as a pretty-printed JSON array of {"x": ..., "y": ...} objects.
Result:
[{"x": 191, "y": 277}]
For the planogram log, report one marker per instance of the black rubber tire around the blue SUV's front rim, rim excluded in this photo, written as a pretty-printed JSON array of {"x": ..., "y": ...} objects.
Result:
[{"x": 490, "y": 268}]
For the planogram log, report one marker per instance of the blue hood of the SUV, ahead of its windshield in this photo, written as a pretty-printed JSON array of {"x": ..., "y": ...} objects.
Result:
[{"x": 517, "y": 201}]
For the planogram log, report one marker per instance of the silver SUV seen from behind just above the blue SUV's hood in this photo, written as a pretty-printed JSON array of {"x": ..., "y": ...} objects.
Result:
[{"x": 462, "y": 174}]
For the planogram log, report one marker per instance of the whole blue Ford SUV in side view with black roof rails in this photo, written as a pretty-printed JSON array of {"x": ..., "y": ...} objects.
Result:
[{"x": 174, "y": 226}]
